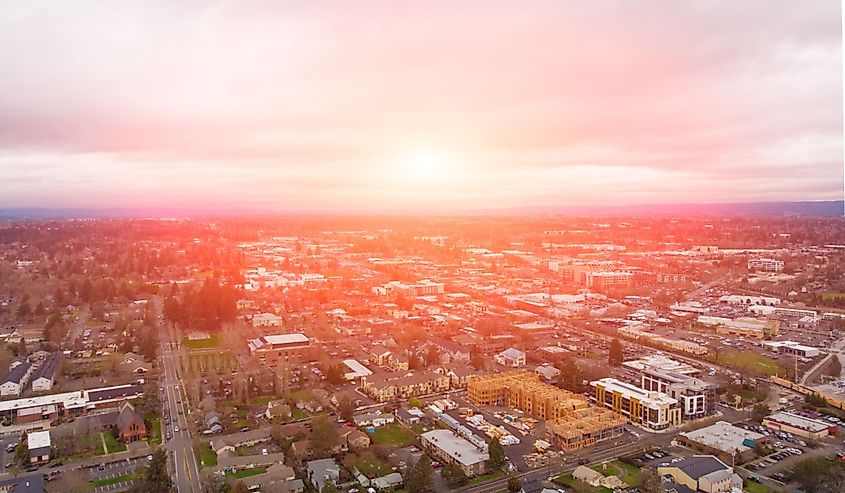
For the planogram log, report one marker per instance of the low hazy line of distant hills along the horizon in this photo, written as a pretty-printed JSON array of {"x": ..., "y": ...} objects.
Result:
[{"x": 807, "y": 208}]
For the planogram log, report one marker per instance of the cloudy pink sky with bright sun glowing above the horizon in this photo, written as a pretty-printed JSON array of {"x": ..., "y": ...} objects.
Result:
[{"x": 416, "y": 106}]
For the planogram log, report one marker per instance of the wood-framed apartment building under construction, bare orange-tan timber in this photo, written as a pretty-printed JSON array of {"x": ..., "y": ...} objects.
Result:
[{"x": 570, "y": 421}]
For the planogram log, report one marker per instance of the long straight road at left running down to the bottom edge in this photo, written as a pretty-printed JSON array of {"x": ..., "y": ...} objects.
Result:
[{"x": 180, "y": 446}]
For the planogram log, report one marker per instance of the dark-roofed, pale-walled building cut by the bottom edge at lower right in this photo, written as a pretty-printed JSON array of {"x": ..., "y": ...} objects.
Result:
[{"x": 704, "y": 473}]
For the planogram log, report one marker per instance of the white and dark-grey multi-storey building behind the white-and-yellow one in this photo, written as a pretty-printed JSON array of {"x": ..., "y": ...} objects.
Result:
[{"x": 696, "y": 397}]
